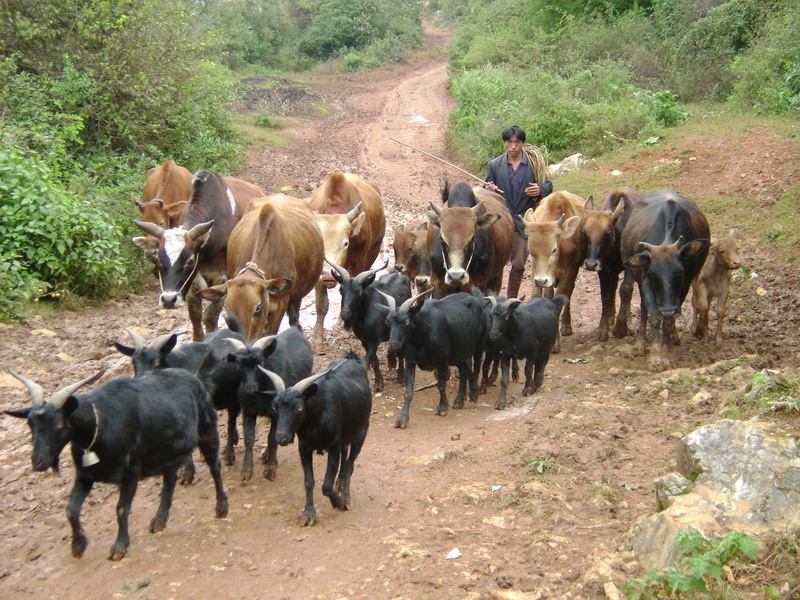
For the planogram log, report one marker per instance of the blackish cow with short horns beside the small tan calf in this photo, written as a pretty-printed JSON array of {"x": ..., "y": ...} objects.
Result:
[{"x": 664, "y": 247}]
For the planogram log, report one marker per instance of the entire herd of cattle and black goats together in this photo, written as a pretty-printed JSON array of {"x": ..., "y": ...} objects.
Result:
[{"x": 225, "y": 241}]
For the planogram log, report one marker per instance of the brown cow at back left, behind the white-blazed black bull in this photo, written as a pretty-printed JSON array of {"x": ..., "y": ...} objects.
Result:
[{"x": 167, "y": 189}]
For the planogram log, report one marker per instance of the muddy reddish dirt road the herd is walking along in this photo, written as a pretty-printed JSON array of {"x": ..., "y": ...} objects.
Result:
[{"x": 532, "y": 497}]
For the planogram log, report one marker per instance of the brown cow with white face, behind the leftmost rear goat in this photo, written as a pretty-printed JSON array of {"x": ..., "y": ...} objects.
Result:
[{"x": 349, "y": 214}]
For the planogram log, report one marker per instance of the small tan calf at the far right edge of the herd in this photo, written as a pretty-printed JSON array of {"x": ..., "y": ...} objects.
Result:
[{"x": 714, "y": 282}]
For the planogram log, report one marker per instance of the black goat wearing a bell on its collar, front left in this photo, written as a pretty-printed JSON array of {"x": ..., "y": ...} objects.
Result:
[{"x": 121, "y": 432}]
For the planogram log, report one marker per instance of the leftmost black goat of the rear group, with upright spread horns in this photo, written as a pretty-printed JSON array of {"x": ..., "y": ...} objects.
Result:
[{"x": 363, "y": 311}]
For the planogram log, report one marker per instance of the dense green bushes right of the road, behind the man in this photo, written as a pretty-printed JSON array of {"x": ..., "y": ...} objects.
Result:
[{"x": 589, "y": 76}]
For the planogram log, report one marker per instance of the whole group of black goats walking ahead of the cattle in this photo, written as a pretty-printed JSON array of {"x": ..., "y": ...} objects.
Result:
[{"x": 128, "y": 429}]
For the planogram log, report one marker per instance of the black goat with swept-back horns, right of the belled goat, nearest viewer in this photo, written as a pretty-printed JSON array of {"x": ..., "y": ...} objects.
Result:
[{"x": 329, "y": 412}]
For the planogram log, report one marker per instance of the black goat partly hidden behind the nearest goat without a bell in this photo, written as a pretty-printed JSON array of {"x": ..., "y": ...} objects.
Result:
[{"x": 287, "y": 354}]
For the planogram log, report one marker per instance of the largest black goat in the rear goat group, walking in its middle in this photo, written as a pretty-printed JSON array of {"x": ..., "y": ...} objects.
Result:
[{"x": 434, "y": 335}]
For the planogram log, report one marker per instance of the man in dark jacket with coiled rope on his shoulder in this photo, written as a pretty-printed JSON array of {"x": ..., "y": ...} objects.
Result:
[{"x": 513, "y": 173}]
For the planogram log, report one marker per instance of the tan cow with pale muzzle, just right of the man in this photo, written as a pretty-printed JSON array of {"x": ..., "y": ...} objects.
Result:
[{"x": 557, "y": 249}]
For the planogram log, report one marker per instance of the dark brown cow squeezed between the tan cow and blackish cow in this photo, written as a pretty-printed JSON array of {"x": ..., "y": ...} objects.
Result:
[{"x": 602, "y": 233}]
